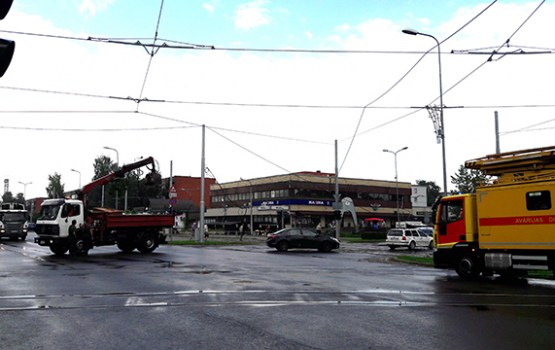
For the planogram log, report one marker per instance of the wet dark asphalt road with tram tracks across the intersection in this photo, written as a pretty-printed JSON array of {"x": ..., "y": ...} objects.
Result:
[{"x": 252, "y": 297}]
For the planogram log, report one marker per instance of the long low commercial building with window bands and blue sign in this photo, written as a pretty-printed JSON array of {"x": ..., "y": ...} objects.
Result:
[{"x": 304, "y": 199}]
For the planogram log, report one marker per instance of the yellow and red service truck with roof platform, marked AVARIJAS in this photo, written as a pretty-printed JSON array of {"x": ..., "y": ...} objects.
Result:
[{"x": 508, "y": 226}]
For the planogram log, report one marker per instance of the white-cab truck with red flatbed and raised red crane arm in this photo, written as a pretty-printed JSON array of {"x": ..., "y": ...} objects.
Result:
[{"x": 100, "y": 226}]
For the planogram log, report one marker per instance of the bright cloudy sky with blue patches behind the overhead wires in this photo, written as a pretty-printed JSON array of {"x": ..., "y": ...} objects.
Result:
[{"x": 284, "y": 80}]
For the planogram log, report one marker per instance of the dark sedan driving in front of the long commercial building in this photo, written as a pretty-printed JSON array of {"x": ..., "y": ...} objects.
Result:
[{"x": 290, "y": 238}]
